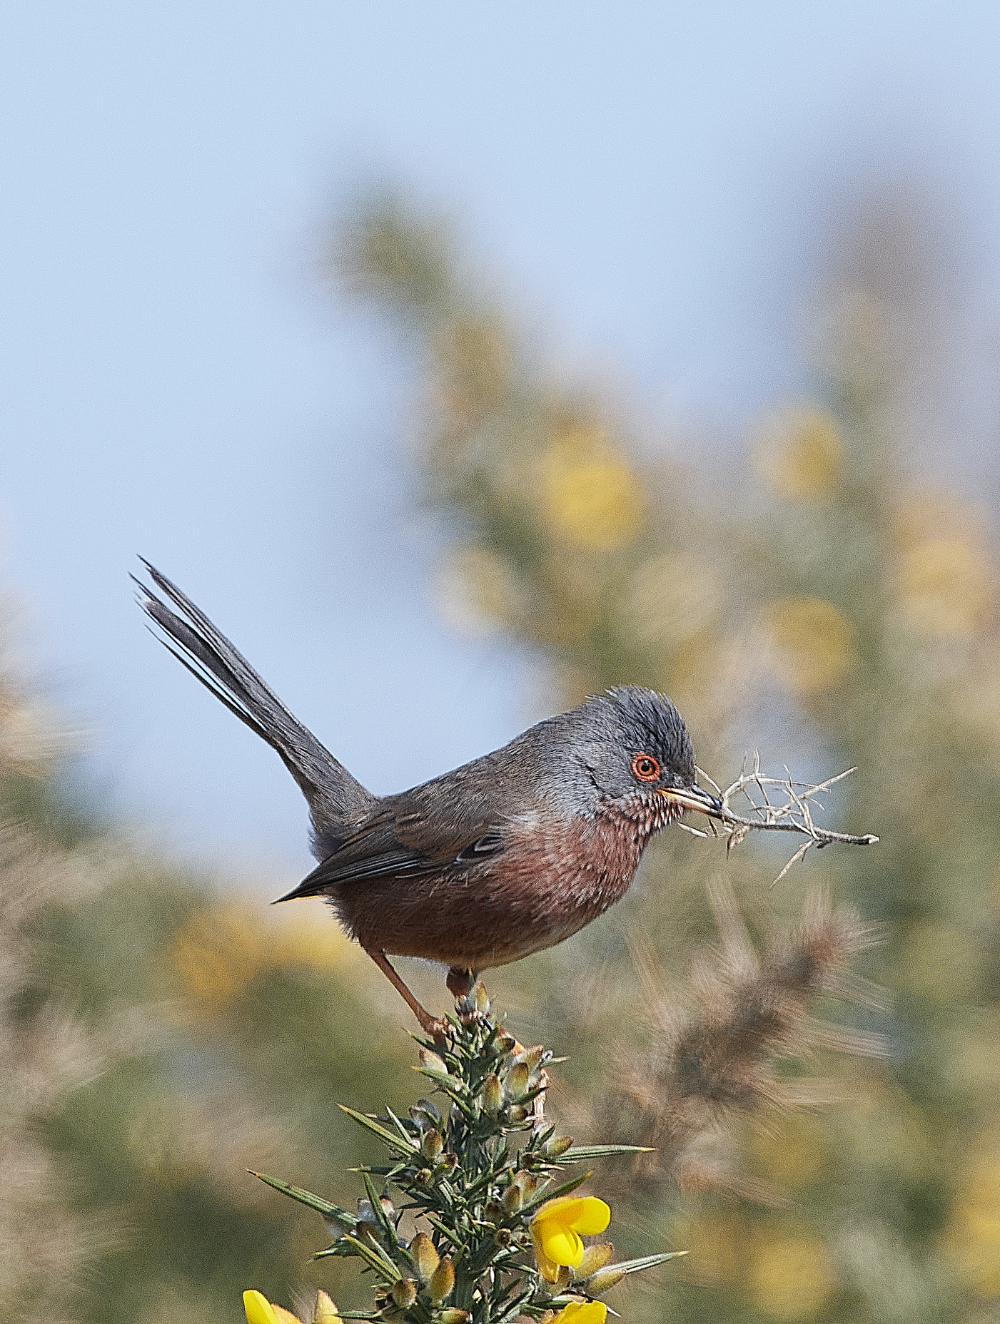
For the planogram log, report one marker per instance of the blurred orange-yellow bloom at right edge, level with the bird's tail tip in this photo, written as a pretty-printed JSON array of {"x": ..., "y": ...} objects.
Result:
[{"x": 946, "y": 586}]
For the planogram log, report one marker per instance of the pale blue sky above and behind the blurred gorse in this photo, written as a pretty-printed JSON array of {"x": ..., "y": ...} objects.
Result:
[{"x": 648, "y": 179}]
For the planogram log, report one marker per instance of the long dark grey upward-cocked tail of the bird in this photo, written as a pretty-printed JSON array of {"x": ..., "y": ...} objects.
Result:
[{"x": 337, "y": 800}]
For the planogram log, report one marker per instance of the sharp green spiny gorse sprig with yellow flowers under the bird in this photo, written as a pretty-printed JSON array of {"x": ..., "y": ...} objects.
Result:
[{"x": 475, "y": 1219}]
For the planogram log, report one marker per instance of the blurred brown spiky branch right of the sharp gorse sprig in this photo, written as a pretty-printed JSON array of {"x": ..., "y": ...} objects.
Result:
[{"x": 719, "y": 1040}]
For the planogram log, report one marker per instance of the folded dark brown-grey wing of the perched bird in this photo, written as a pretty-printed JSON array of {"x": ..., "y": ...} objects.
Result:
[{"x": 403, "y": 847}]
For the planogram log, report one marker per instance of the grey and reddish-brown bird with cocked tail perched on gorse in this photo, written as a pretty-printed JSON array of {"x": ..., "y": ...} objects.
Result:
[{"x": 503, "y": 857}]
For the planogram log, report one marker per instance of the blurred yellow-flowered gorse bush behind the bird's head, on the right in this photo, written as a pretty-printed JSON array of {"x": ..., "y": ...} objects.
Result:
[{"x": 844, "y": 607}]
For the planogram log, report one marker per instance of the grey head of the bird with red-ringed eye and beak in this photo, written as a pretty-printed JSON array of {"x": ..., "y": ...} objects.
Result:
[{"x": 638, "y": 754}]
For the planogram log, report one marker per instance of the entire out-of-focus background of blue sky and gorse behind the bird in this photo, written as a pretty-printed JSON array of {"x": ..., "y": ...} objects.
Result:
[{"x": 460, "y": 363}]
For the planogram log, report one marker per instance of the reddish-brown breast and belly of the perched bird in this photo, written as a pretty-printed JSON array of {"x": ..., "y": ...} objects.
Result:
[{"x": 533, "y": 896}]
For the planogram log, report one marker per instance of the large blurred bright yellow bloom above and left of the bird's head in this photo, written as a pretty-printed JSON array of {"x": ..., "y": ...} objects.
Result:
[{"x": 590, "y": 497}]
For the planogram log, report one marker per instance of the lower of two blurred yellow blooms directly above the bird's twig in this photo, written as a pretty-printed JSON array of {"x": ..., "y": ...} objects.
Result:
[{"x": 813, "y": 640}]
